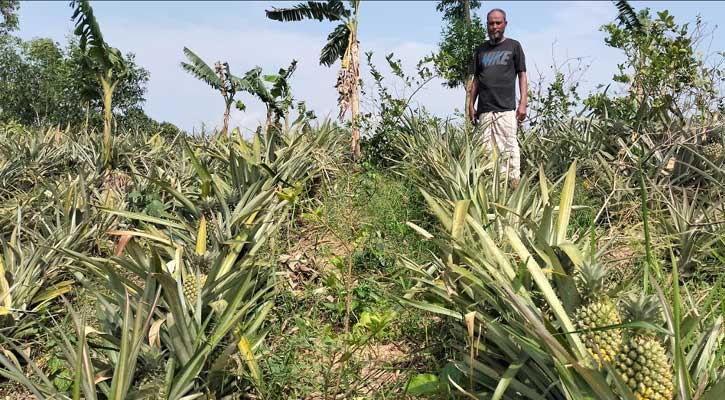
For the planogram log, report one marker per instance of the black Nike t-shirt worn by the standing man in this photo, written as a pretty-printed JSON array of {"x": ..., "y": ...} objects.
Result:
[{"x": 496, "y": 67}]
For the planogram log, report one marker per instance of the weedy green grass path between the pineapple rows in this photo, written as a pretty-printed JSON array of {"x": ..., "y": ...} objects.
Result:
[{"x": 359, "y": 219}]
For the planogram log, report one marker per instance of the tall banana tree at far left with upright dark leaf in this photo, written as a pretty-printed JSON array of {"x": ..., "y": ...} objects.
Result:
[{"x": 104, "y": 61}]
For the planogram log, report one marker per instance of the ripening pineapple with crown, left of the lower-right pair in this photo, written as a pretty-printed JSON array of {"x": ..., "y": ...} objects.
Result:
[{"x": 598, "y": 310}]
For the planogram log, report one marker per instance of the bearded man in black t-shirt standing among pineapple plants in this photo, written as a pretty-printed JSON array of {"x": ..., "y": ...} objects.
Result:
[{"x": 497, "y": 63}]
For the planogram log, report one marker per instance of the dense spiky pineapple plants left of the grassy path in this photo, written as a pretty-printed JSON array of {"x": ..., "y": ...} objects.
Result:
[{"x": 242, "y": 191}]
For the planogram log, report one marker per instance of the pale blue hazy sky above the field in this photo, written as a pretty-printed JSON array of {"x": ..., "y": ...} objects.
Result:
[{"x": 562, "y": 34}]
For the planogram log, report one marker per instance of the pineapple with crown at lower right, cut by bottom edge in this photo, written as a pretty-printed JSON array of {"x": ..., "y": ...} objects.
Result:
[{"x": 642, "y": 360}]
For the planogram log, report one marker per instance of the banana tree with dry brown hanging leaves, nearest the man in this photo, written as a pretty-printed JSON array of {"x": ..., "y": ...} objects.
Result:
[{"x": 341, "y": 44}]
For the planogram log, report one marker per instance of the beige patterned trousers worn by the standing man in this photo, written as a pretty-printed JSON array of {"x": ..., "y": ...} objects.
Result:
[{"x": 500, "y": 128}]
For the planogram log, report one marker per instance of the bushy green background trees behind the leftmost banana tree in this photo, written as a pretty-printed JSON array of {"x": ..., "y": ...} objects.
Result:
[{"x": 61, "y": 89}]
